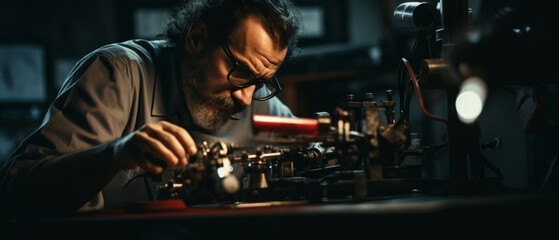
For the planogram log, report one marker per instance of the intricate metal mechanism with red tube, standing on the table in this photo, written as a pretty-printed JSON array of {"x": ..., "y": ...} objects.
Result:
[{"x": 333, "y": 160}]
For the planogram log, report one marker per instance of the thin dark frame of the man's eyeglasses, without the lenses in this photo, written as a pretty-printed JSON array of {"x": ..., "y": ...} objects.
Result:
[{"x": 274, "y": 80}]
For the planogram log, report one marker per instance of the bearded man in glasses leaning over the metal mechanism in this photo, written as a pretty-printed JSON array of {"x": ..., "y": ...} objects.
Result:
[{"x": 144, "y": 105}]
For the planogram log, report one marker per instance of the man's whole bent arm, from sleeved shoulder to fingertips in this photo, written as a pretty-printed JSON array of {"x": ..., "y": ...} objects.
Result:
[{"x": 80, "y": 147}]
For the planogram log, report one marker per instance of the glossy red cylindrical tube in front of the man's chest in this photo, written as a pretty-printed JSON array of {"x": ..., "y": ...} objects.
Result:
[{"x": 285, "y": 125}]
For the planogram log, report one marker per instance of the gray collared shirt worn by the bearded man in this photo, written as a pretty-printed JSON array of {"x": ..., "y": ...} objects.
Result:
[{"x": 109, "y": 93}]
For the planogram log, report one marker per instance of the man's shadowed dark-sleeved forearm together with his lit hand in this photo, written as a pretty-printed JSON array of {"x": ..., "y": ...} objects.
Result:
[{"x": 65, "y": 183}]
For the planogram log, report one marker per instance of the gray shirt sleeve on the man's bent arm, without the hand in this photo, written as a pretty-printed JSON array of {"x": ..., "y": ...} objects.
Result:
[{"x": 91, "y": 109}]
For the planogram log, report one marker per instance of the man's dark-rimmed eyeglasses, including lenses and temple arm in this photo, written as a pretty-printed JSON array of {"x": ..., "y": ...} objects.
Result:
[{"x": 240, "y": 77}]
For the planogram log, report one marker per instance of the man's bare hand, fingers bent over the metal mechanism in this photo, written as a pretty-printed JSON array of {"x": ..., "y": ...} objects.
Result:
[{"x": 154, "y": 147}]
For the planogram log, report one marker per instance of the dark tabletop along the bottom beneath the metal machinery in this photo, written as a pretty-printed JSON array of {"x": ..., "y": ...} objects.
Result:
[{"x": 405, "y": 216}]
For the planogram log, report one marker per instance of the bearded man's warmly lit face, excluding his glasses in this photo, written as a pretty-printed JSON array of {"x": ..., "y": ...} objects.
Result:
[{"x": 210, "y": 98}]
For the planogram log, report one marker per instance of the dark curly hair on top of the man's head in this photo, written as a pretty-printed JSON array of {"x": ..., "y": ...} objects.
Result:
[{"x": 280, "y": 18}]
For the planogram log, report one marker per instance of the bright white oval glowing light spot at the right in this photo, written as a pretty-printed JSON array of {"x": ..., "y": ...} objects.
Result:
[{"x": 470, "y": 100}]
